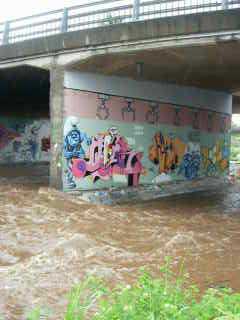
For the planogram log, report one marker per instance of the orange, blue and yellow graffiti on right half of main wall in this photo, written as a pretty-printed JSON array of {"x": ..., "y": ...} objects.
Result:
[{"x": 173, "y": 156}]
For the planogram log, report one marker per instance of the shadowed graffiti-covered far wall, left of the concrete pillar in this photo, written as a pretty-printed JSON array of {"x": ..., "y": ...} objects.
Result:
[{"x": 24, "y": 140}]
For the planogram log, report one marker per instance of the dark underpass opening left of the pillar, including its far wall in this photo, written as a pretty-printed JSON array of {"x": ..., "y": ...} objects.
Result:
[{"x": 24, "y": 124}]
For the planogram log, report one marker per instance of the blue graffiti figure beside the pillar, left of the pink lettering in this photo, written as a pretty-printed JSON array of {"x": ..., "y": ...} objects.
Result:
[{"x": 73, "y": 148}]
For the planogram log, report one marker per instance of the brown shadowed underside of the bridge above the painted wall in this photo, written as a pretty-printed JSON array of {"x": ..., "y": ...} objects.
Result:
[{"x": 215, "y": 66}]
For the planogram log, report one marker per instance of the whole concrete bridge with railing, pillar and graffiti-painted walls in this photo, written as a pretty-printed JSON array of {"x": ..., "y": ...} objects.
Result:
[{"x": 162, "y": 76}]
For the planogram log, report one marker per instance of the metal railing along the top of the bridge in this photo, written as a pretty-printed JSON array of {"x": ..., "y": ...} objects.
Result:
[{"x": 101, "y": 13}]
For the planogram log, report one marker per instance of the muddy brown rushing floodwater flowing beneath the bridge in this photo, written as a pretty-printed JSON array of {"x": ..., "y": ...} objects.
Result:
[{"x": 50, "y": 240}]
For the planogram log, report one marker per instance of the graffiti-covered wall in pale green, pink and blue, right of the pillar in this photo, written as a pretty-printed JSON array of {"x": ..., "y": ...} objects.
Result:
[{"x": 120, "y": 132}]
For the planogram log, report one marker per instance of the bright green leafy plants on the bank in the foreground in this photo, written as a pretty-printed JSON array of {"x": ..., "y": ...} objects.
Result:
[{"x": 166, "y": 298}]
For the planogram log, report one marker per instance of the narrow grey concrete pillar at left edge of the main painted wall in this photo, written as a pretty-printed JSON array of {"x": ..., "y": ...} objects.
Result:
[{"x": 56, "y": 116}]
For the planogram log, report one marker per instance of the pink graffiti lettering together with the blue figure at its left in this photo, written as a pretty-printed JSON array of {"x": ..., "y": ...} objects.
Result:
[{"x": 108, "y": 154}]
